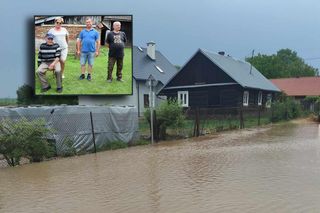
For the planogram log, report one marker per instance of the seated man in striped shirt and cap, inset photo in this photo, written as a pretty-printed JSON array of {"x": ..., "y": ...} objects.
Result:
[{"x": 48, "y": 59}]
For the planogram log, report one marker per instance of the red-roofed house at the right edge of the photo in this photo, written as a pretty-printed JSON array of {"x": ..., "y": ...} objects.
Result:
[{"x": 299, "y": 88}]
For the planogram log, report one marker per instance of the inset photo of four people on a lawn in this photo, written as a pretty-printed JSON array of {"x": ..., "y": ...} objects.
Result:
[{"x": 83, "y": 55}]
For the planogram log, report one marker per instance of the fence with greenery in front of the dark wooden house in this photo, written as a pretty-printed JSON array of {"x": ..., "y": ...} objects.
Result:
[{"x": 199, "y": 121}]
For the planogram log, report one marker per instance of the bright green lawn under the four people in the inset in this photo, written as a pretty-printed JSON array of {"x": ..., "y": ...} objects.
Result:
[{"x": 98, "y": 85}]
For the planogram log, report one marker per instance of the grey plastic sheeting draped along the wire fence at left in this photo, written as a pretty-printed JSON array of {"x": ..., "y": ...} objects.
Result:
[{"x": 72, "y": 124}]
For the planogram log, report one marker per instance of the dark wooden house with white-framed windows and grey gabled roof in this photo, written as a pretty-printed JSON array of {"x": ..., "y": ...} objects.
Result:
[{"x": 217, "y": 80}]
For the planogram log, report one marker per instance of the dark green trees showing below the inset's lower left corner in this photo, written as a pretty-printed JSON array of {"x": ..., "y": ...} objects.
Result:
[{"x": 26, "y": 96}]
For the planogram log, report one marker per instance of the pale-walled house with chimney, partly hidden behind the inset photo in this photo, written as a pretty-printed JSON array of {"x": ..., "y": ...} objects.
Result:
[{"x": 146, "y": 61}]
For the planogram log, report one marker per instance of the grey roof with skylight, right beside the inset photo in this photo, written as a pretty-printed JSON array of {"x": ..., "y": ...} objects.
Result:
[{"x": 143, "y": 66}]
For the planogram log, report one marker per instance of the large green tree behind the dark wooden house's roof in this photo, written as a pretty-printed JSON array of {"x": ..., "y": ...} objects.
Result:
[{"x": 286, "y": 63}]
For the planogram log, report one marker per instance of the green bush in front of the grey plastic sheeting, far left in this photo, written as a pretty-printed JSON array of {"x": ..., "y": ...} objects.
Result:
[{"x": 23, "y": 138}]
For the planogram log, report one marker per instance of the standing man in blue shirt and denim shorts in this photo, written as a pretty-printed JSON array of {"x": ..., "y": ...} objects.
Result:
[{"x": 88, "y": 44}]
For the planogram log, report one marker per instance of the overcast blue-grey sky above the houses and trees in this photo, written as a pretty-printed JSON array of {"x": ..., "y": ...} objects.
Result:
[{"x": 179, "y": 28}]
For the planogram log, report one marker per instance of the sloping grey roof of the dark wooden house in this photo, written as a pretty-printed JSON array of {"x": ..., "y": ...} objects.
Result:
[{"x": 240, "y": 72}]
